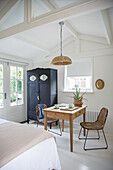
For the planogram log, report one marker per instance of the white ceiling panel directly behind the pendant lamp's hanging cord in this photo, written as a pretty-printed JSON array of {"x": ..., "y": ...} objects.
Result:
[{"x": 47, "y": 35}]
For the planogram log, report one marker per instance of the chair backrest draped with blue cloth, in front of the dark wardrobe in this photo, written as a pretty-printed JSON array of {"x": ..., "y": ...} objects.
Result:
[{"x": 39, "y": 110}]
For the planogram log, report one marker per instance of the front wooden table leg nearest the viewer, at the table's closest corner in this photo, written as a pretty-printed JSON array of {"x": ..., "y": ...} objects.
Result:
[{"x": 71, "y": 134}]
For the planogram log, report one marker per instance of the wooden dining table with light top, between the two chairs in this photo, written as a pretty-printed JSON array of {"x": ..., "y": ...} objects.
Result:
[{"x": 65, "y": 114}]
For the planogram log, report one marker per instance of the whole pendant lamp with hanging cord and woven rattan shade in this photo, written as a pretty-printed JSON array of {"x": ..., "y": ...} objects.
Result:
[{"x": 61, "y": 60}]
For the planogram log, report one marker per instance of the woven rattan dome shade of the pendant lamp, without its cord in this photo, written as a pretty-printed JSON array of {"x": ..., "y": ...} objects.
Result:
[{"x": 61, "y": 60}]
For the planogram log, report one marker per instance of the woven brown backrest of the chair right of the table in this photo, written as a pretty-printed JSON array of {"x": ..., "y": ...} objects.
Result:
[{"x": 102, "y": 116}]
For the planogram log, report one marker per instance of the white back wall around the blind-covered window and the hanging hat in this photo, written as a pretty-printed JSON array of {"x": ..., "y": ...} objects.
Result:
[{"x": 103, "y": 69}]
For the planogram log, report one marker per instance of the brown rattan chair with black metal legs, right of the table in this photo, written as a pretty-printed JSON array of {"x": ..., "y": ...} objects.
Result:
[{"x": 97, "y": 125}]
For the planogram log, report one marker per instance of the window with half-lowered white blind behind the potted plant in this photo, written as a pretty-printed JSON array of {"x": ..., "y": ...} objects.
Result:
[{"x": 79, "y": 73}]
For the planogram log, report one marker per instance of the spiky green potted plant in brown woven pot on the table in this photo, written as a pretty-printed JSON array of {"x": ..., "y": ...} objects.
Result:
[{"x": 77, "y": 97}]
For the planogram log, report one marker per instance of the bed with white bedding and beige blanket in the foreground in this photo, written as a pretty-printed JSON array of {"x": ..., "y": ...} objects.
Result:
[{"x": 32, "y": 153}]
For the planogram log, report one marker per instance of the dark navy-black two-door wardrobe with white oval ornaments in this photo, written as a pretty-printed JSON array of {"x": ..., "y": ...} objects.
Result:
[{"x": 41, "y": 89}]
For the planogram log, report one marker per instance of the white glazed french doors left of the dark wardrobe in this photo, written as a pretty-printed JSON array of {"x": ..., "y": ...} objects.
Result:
[{"x": 12, "y": 87}]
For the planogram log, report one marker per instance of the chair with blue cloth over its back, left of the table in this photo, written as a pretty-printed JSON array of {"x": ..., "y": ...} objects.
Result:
[{"x": 50, "y": 121}]
